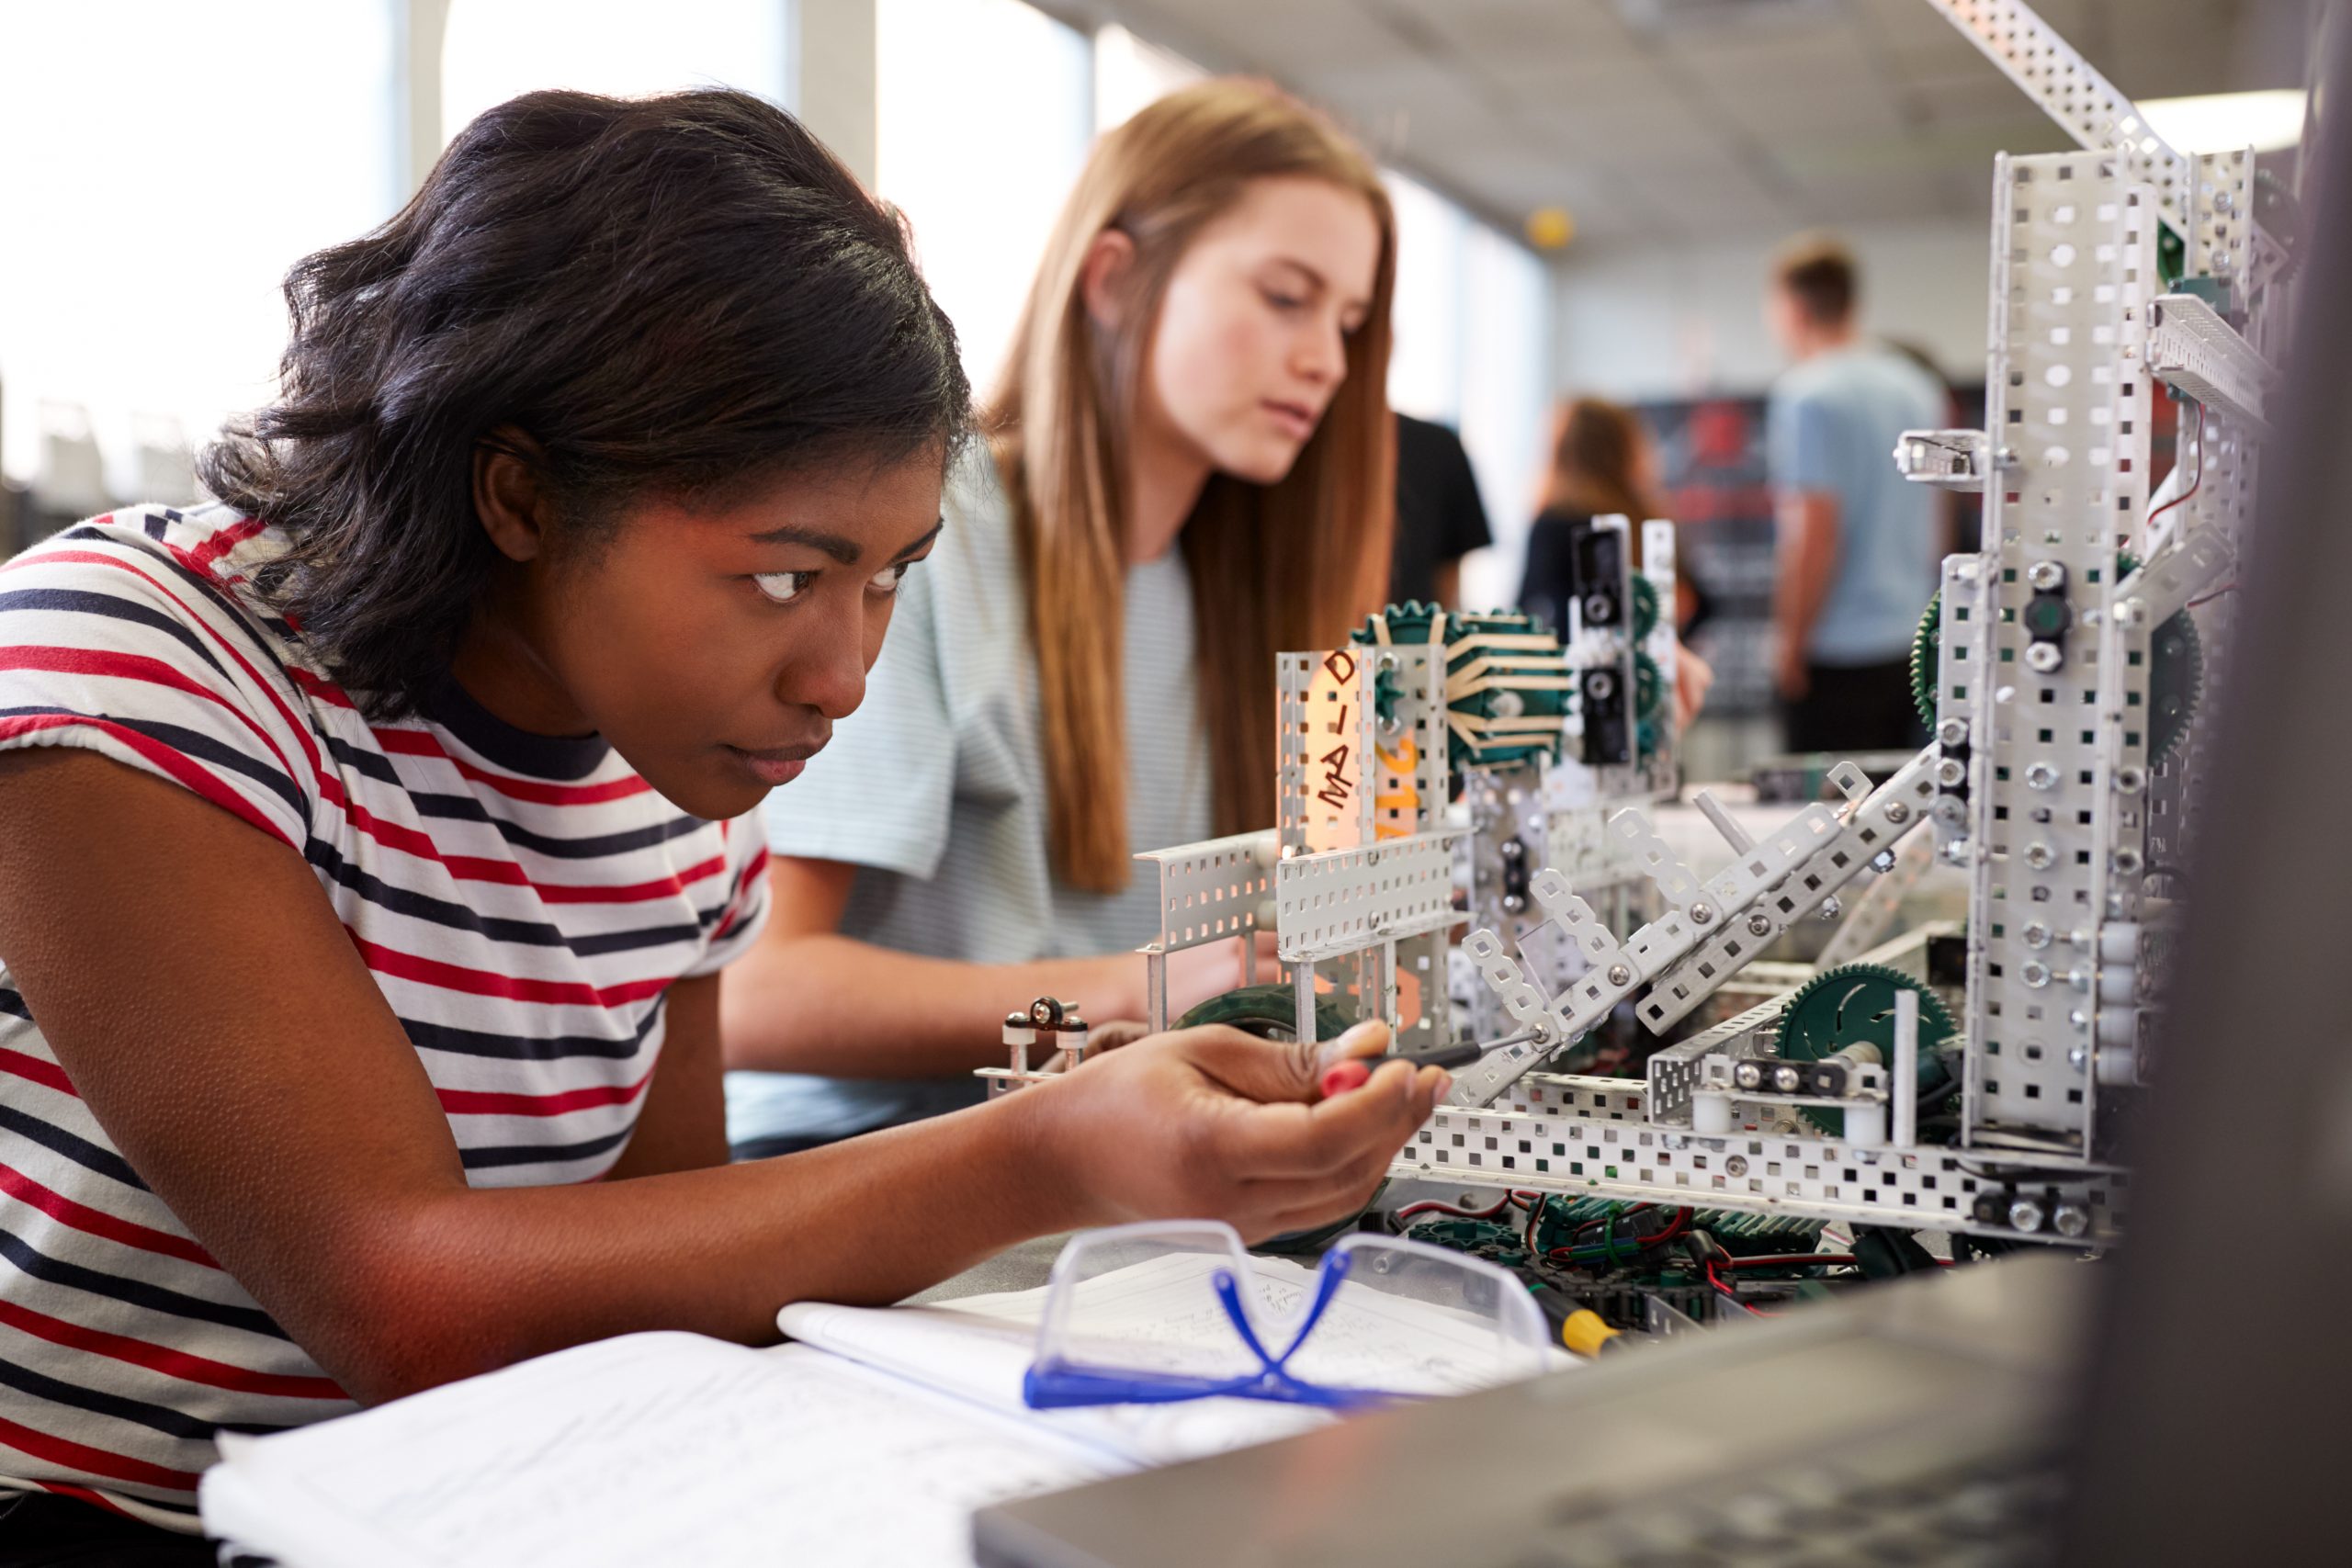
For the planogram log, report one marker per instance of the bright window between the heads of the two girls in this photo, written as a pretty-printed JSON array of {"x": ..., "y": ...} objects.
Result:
[{"x": 982, "y": 123}]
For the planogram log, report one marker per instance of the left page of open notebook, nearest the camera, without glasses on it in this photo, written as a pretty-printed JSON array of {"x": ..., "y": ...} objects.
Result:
[{"x": 643, "y": 1449}]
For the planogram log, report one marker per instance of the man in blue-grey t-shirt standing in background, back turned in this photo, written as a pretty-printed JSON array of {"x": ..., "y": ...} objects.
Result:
[{"x": 1857, "y": 544}]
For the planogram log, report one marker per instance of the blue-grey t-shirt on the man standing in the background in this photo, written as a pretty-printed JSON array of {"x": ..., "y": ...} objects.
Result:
[{"x": 1833, "y": 429}]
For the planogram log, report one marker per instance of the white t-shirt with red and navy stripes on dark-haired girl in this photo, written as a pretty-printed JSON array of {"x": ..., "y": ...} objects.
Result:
[{"x": 521, "y": 902}]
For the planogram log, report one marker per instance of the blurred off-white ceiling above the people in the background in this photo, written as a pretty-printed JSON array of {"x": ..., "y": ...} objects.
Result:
[{"x": 1852, "y": 112}]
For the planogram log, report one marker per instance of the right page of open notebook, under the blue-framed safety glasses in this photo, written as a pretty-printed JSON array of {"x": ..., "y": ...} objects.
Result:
[{"x": 982, "y": 1346}]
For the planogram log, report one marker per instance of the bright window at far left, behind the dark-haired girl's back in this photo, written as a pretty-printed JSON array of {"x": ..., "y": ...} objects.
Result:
[{"x": 166, "y": 168}]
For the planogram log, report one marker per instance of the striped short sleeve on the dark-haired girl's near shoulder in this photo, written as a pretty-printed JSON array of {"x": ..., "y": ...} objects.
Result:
[{"x": 116, "y": 645}]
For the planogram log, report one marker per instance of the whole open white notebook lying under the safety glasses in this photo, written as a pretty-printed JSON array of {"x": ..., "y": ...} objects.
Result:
[{"x": 867, "y": 1442}]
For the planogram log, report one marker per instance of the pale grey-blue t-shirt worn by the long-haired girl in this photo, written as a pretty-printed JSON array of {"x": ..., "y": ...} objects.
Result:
[{"x": 935, "y": 789}]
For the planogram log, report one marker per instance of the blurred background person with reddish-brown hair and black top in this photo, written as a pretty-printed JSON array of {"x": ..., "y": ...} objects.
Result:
[{"x": 1605, "y": 464}]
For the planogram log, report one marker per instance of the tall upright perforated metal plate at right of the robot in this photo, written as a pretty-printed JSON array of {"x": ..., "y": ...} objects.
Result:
[{"x": 2069, "y": 391}]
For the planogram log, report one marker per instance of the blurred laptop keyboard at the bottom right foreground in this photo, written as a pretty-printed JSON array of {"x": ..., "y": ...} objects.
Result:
[{"x": 1904, "y": 1503}]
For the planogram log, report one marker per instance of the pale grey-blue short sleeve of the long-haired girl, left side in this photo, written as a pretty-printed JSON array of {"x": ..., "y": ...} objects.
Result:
[{"x": 883, "y": 789}]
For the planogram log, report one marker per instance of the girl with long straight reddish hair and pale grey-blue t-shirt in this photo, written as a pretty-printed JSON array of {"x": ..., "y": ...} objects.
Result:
[{"x": 1187, "y": 474}]
